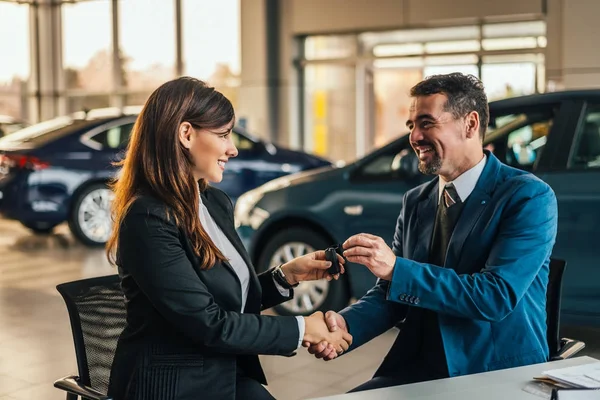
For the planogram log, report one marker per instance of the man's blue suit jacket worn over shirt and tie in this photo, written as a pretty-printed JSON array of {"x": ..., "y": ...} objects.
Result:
[{"x": 490, "y": 296}]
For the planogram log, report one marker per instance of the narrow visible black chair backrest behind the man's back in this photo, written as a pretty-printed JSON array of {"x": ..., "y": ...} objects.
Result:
[{"x": 553, "y": 295}]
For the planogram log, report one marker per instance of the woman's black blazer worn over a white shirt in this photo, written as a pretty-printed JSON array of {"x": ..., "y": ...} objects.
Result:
[{"x": 185, "y": 337}]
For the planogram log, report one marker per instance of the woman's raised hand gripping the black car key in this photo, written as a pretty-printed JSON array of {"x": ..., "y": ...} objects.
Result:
[{"x": 310, "y": 267}]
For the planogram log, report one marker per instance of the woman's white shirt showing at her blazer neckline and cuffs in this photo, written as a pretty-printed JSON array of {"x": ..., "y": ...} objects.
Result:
[{"x": 237, "y": 262}]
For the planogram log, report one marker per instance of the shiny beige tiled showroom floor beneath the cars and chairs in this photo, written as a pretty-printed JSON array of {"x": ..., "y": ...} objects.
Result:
[{"x": 35, "y": 338}]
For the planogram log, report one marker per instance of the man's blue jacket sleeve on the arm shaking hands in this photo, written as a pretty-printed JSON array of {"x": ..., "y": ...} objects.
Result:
[{"x": 373, "y": 314}]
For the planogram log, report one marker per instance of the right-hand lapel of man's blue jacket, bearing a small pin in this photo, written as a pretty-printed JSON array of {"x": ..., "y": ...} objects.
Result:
[{"x": 475, "y": 205}]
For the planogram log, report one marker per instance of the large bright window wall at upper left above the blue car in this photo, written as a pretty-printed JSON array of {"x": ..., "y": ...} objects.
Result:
[{"x": 111, "y": 53}]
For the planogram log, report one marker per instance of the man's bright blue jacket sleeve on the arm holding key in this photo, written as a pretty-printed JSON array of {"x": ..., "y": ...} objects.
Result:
[{"x": 522, "y": 247}]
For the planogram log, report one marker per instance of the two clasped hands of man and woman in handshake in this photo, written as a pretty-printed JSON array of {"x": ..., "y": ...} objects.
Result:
[{"x": 326, "y": 335}]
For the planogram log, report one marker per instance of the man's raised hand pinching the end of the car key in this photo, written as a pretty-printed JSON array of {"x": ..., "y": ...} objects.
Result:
[{"x": 372, "y": 252}]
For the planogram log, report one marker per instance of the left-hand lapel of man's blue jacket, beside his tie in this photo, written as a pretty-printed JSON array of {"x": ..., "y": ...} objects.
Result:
[{"x": 426, "y": 210}]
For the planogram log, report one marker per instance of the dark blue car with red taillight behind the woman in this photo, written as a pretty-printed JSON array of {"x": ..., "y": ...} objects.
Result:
[{"x": 57, "y": 170}]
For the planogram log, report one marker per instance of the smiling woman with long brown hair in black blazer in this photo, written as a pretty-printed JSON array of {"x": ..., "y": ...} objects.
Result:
[{"x": 193, "y": 300}]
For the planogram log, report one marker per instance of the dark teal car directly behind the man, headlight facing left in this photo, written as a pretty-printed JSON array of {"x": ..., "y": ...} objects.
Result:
[{"x": 555, "y": 135}]
